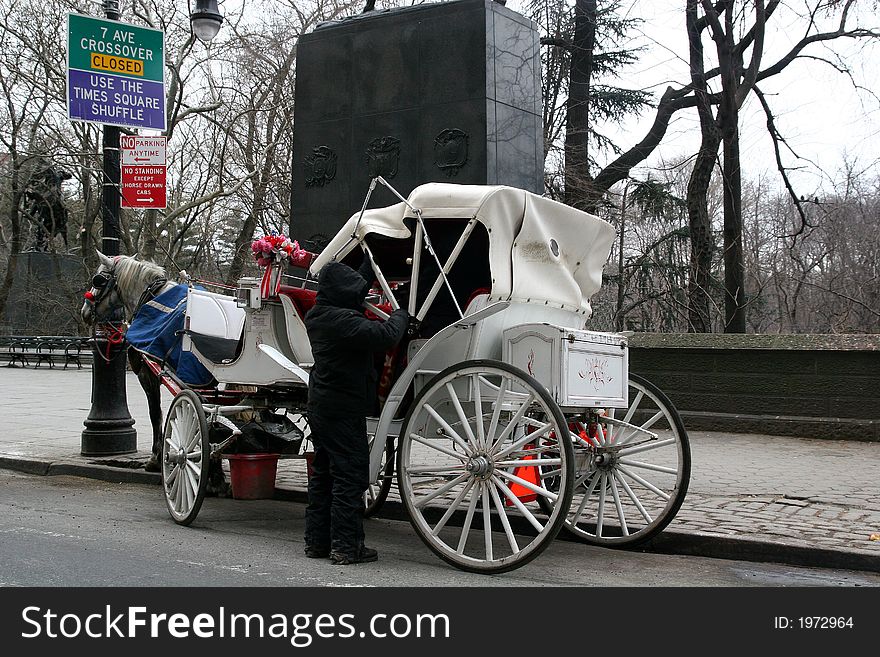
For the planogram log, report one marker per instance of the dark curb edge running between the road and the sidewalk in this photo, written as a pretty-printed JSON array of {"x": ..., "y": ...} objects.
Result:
[{"x": 671, "y": 542}]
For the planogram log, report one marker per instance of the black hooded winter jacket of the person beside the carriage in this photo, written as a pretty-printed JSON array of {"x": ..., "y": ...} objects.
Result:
[{"x": 344, "y": 341}]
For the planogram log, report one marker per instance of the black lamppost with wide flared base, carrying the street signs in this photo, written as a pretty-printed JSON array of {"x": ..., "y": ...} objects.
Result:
[{"x": 109, "y": 426}]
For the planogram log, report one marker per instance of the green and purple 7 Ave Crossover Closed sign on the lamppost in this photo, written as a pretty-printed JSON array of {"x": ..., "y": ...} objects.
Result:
[{"x": 115, "y": 73}]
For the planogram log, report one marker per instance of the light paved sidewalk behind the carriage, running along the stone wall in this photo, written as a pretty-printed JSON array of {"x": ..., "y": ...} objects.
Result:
[{"x": 803, "y": 501}]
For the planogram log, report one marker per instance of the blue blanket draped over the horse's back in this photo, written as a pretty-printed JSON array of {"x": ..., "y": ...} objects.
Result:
[{"x": 156, "y": 330}]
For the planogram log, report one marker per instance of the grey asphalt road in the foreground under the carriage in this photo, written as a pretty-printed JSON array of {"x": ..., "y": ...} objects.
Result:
[{"x": 72, "y": 531}]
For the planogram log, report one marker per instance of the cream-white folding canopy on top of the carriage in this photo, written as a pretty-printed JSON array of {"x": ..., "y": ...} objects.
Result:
[{"x": 540, "y": 250}]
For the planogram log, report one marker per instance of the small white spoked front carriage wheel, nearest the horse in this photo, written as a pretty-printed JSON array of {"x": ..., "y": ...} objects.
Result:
[{"x": 186, "y": 452}]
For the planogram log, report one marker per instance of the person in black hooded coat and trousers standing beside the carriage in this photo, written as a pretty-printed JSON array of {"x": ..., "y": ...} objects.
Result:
[{"x": 342, "y": 392}]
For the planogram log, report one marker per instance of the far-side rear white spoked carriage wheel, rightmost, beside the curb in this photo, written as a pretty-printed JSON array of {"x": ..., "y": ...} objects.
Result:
[{"x": 632, "y": 478}]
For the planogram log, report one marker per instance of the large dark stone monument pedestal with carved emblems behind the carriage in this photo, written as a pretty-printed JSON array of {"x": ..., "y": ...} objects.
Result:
[{"x": 446, "y": 92}]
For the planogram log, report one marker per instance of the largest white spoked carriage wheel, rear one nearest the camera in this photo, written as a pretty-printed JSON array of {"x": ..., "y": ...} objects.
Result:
[{"x": 467, "y": 466}]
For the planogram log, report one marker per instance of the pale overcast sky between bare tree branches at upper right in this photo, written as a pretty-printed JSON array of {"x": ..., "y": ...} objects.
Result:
[{"x": 817, "y": 109}]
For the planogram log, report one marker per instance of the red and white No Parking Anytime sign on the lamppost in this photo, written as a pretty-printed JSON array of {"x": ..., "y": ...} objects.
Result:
[{"x": 144, "y": 169}]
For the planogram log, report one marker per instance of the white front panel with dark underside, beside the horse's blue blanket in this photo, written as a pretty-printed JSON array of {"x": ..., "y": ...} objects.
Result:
[{"x": 215, "y": 323}]
